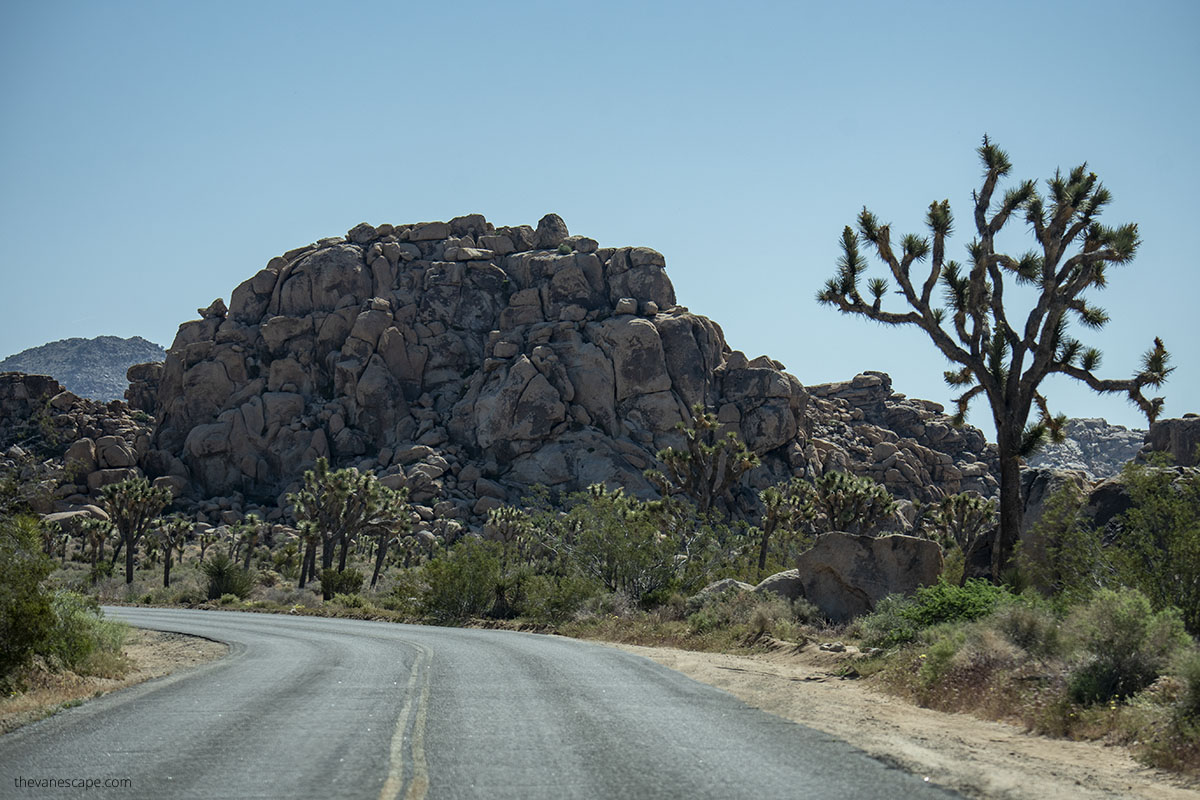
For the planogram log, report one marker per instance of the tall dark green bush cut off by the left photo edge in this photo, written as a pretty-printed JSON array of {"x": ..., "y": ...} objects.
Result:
[{"x": 27, "y": 618}]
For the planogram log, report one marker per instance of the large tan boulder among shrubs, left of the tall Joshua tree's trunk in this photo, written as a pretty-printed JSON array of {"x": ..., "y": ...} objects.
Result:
[{"x": 845, "y": 576}]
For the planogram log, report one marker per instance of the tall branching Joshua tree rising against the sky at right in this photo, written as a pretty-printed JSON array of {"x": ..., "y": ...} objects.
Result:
[{"x": 995, "y": 353}]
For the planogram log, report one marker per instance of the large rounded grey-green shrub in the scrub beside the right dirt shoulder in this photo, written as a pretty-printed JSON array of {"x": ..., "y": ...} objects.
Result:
[{"x": 1127, "y": 645}]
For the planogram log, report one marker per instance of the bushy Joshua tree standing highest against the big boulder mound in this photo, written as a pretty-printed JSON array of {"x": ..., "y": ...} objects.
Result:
[{"x": 710, "y": 465}]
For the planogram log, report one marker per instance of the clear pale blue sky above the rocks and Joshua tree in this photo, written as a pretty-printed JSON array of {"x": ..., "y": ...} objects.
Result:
[{"x": 154, "y": 155}]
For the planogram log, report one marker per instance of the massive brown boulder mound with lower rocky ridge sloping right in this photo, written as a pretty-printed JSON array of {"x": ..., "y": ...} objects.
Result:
[{"x": 471, "y": 363}]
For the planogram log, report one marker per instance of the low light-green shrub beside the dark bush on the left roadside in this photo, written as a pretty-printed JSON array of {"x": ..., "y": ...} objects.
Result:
[{"x": 82, "y": 640}]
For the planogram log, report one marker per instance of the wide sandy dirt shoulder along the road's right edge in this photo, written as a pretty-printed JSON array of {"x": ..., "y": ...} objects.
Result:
[{"x": 975, "y": 757}]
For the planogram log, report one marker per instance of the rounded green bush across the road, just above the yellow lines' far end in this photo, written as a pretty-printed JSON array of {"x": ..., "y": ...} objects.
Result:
[{"x": 463, "y": 582}]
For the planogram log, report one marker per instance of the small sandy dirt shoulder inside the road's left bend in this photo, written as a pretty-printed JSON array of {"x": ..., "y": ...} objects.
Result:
[{"x": 152, "y": 654}]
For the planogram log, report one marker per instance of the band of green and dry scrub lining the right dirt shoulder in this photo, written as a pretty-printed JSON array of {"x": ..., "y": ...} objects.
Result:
[{"x": 1109, "y": 667}]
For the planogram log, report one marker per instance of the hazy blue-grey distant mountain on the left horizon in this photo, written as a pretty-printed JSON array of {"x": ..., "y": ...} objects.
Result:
[{"x": 93, "y": 369}]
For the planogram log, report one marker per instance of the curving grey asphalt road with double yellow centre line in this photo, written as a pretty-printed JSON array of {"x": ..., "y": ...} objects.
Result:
[{"x": 320, "y": 708}]
